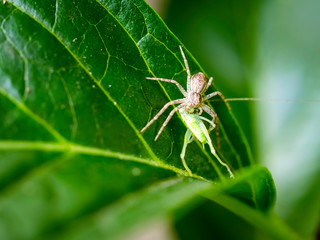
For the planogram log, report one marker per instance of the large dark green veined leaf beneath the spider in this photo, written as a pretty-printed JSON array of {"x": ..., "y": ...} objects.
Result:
[{"x": 73, "y": 98}]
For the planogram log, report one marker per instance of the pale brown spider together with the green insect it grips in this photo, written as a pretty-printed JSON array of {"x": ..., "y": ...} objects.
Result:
[{"x": 190, "y": 108}]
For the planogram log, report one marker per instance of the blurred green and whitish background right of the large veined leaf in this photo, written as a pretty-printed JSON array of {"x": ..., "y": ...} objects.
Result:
[{"x": 270, "y": 50}]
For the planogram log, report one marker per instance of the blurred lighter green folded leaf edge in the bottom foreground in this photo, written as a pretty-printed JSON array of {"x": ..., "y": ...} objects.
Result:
[{"x": 151, "y": 203}]
